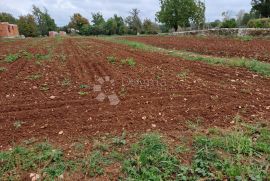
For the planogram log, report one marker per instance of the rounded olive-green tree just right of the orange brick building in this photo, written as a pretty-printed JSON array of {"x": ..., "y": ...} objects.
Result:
[{"x": 27, "y": 26}]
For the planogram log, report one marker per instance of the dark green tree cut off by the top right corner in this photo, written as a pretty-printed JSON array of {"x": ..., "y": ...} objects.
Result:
[{"x": 262, "y": 7}]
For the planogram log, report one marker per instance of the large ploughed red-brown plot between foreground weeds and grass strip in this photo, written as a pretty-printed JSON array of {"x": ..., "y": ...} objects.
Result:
[{"x": 212, "y": 94}]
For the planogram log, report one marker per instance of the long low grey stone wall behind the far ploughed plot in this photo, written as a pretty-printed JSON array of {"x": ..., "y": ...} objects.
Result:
[{"x": 228, "y": 32}]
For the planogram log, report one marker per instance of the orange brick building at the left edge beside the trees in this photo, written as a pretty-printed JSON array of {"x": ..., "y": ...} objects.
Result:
[{"x": 8, "y": 30}]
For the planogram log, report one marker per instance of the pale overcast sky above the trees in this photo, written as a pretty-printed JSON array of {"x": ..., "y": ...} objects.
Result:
[{"x": 61, "y": 10}]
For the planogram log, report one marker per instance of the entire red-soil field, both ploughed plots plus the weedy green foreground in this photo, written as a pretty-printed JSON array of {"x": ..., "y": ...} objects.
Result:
[{"x": 93, "y": 98}]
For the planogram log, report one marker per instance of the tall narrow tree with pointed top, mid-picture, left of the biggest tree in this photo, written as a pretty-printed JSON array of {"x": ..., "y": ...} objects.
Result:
[{"x": 134, "y": 22}]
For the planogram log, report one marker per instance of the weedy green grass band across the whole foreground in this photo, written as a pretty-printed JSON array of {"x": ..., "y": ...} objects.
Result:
[{"x": 232, "y": 154}]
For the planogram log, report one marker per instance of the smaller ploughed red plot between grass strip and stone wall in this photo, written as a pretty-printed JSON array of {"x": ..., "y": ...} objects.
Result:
[{"x": 218, "y": 46}]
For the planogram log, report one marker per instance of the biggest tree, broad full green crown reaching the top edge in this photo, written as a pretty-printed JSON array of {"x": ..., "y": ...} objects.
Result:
[{"x": 175, "y": 13}]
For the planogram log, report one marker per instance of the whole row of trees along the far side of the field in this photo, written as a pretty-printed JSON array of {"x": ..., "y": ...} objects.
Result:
[{"x": 173, "y": 14}]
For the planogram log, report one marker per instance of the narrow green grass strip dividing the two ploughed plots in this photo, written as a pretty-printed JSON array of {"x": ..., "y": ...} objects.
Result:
[{"x": 262, "y": 68}]
